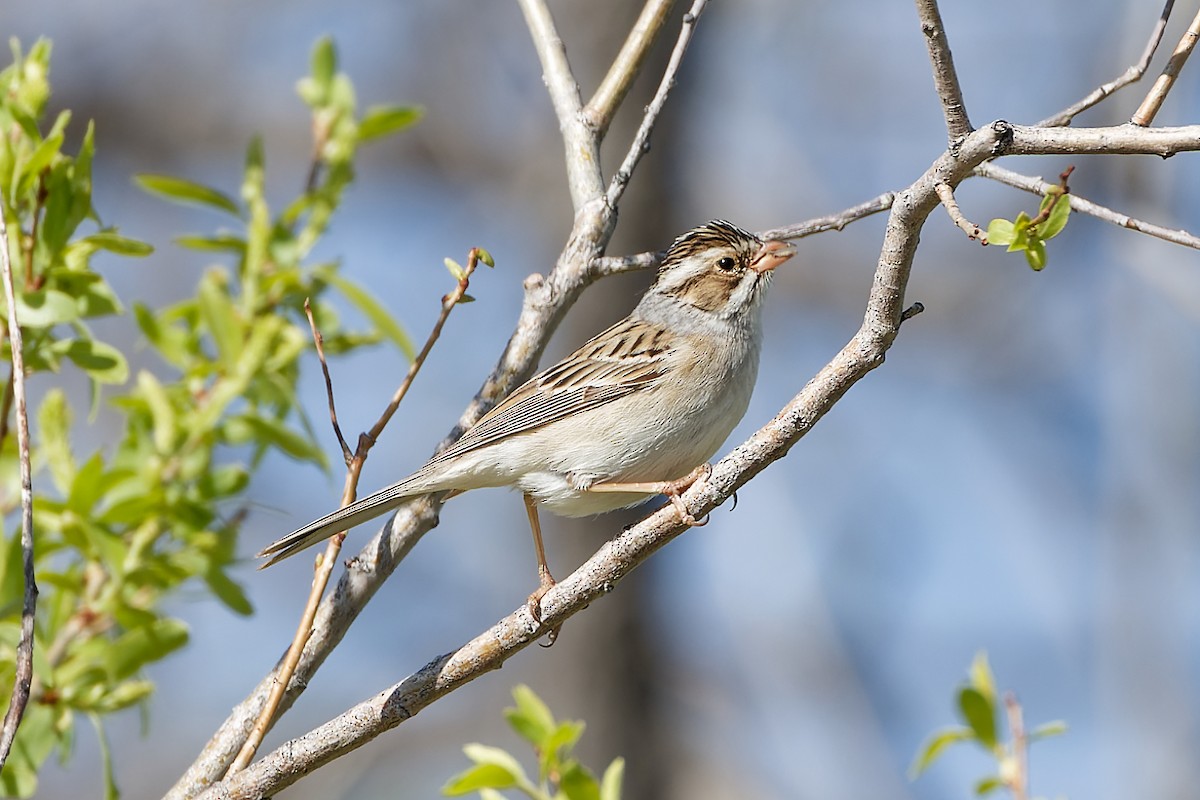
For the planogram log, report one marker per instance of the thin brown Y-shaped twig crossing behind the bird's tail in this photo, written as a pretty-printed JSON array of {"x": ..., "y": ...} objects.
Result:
[{"x": 325, "y": 568}]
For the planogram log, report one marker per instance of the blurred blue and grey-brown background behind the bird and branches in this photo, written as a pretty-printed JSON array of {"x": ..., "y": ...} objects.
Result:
[{"x": 1022, "y": 477}]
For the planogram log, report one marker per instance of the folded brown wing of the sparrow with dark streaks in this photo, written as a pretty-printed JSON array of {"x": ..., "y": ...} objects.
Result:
[{"x": 625, "y": 359}]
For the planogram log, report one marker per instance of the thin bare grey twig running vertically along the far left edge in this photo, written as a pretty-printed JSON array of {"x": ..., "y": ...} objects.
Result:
[{"x": 25, "y": 667}]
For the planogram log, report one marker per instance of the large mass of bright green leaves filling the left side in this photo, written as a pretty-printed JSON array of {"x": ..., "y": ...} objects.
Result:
[{"x": 123, "y": 527}]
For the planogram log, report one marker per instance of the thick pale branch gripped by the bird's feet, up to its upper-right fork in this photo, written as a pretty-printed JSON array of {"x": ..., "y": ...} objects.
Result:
[{"x": 616, "y": 560}]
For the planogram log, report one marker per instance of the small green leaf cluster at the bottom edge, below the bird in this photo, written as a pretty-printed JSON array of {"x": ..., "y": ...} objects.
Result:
[{"x": 561, "y": 777}]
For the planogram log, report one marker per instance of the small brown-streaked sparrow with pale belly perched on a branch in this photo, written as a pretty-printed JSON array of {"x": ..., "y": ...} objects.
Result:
[{"x": 634, "y": 413}]
